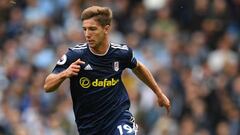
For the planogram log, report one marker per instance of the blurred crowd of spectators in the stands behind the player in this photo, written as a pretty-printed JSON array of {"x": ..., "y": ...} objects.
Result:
[{"x": 192, "y": 47}]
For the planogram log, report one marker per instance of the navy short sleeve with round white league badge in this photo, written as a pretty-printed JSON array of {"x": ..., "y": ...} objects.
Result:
[{"x": 65, "y": 61}]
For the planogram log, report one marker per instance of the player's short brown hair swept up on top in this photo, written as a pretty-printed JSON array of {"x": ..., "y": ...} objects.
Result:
[{"x": 103, "y": 15}]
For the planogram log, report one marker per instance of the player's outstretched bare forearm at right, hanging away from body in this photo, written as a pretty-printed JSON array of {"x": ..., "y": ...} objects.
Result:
[{"x": 146, "y": 76}]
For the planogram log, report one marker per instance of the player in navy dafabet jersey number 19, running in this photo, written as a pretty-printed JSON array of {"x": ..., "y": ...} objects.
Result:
[{"x": 100, "y": 100}]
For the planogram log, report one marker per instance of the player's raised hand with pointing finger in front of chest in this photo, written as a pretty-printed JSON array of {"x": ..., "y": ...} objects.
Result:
[{"x": 74, "y": 68}]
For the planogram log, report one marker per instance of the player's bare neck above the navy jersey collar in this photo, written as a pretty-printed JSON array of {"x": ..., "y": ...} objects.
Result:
[{"x": 100, "y": 49}]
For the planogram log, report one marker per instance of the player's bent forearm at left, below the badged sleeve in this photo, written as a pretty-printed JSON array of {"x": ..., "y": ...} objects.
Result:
[{"x": 53, "y": 81}]
